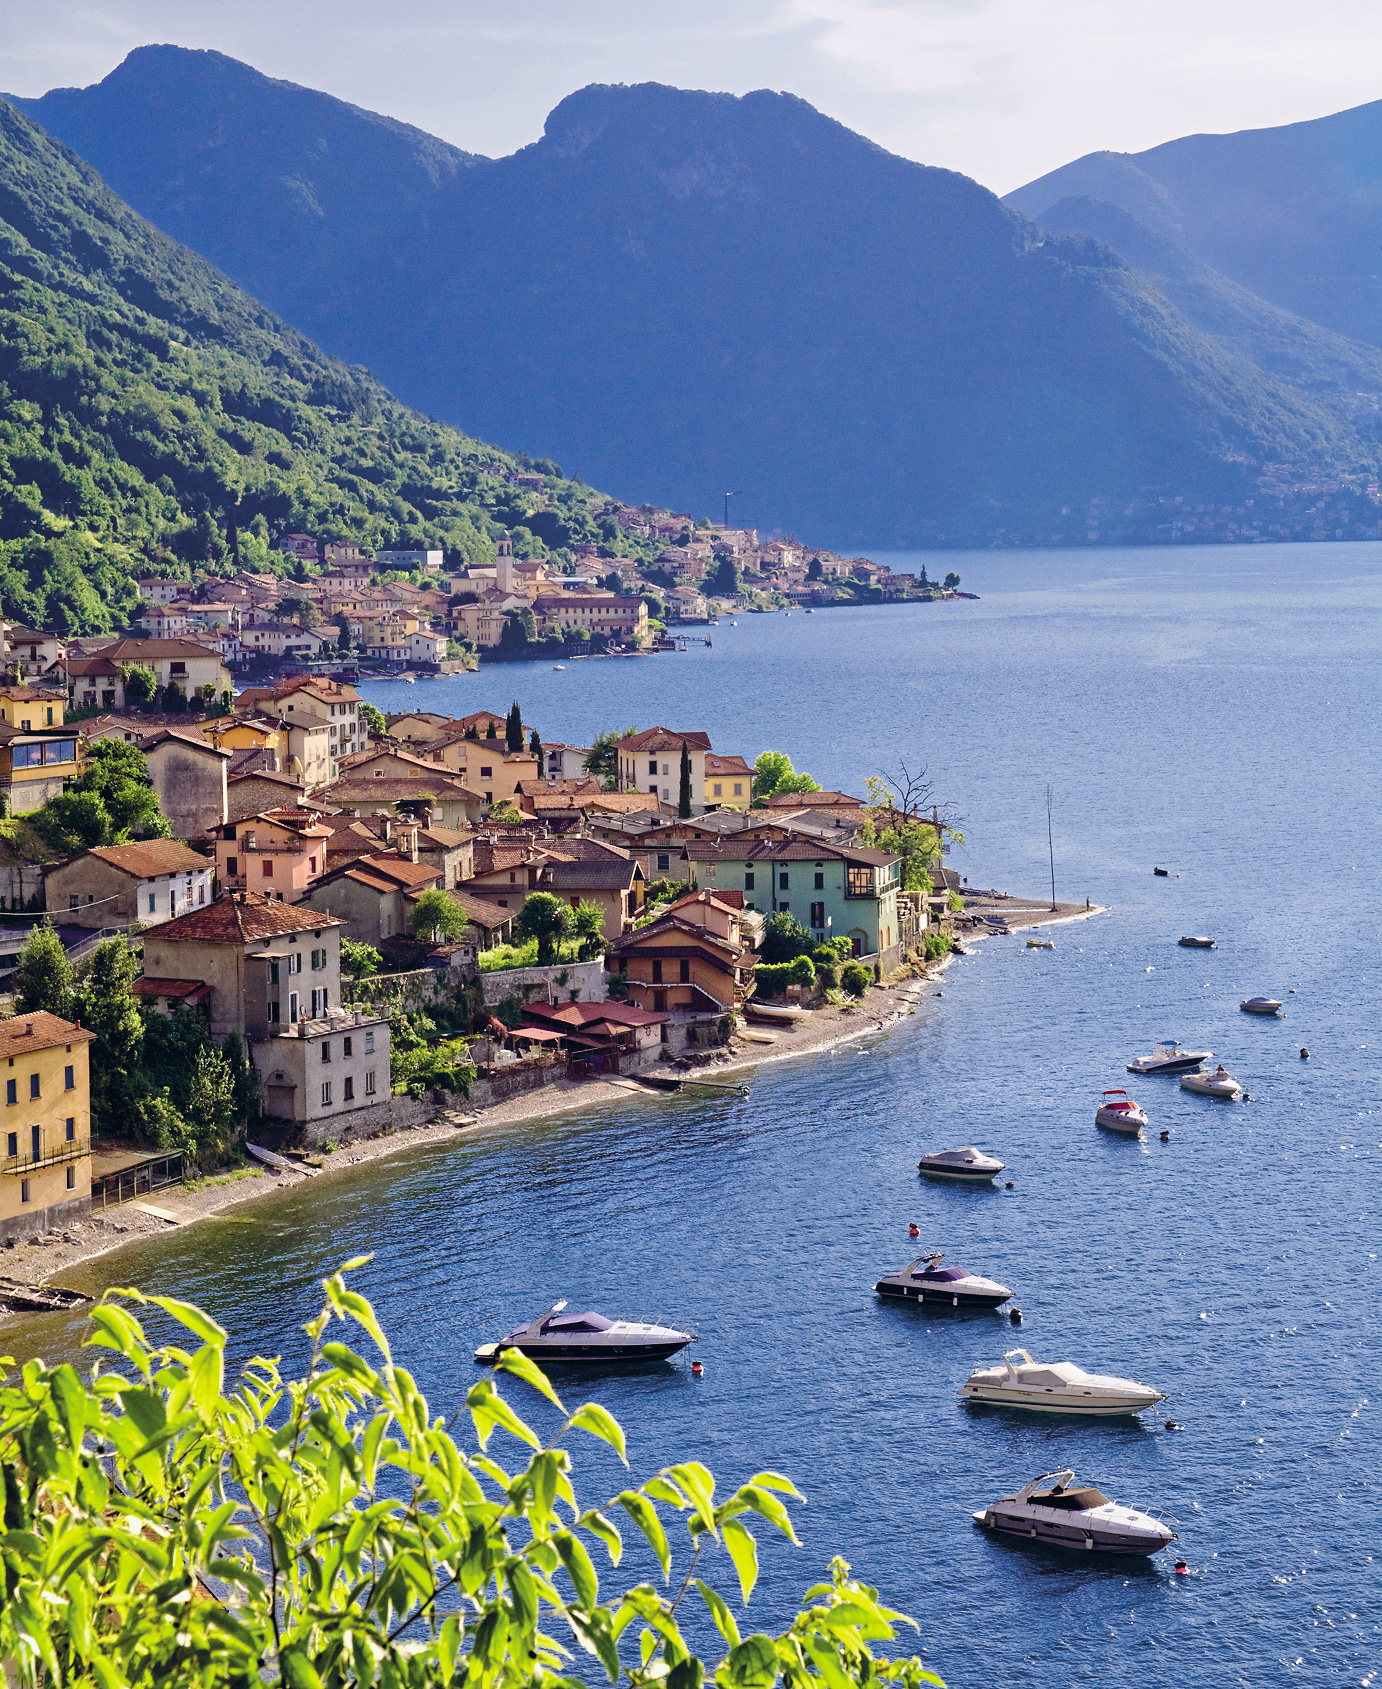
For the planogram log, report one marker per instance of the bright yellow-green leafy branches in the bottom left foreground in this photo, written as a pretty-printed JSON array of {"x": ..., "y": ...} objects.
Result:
[{"x": 214, "y": 1470}]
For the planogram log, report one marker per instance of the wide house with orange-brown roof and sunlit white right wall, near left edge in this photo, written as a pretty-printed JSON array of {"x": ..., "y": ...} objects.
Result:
[{"x": 117, "y": 886}]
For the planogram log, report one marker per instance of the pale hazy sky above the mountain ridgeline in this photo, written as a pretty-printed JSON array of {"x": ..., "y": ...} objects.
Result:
[{"x": 1003, "y": 90}]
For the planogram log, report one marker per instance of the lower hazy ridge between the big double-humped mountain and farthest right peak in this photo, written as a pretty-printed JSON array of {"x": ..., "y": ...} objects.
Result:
[{"x": 1238, "y": 320}]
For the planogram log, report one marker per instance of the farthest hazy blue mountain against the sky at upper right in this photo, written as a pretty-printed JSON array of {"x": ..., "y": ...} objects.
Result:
[{"x": 1292, "y": 214}]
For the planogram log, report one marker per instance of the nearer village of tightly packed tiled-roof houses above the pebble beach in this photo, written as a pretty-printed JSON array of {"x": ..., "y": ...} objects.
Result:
[{"x": 300, "y": 923}]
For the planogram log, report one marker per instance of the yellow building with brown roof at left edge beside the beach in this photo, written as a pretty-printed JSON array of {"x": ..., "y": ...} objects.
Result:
[{"x": 46, "y": 1127}]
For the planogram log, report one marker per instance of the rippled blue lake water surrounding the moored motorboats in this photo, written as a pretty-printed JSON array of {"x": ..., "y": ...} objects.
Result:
[{"x": 1212, "y": 712}]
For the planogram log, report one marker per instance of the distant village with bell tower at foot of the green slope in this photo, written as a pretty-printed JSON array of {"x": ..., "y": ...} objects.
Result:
[{"x": 339, "y": 609}]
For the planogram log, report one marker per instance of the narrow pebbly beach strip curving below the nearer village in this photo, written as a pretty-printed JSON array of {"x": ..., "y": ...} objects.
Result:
[{"x": 178, "y": 1207}]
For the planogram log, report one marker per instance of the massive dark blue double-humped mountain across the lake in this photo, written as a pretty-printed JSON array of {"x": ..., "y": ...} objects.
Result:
[{"x": 683, "y": 293}]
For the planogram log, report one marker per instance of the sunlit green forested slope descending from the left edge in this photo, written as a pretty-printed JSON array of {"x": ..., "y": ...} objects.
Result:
[{"x": 153, "y": 415}]
